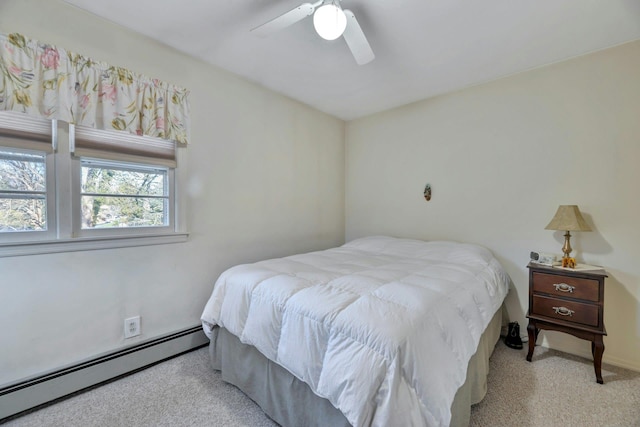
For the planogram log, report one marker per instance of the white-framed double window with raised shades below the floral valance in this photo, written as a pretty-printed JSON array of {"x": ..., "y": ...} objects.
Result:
[{"x": 97, "y": 189}]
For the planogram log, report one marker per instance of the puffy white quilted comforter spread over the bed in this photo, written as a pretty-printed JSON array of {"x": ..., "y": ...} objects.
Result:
[{"x": 383, "y": 328}]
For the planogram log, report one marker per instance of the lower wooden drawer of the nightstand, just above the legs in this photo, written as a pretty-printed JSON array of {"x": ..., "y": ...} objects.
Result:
[{"x": 569, "y": 311}]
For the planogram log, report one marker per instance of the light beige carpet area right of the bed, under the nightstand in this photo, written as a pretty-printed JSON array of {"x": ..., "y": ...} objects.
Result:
[{"x": 556, "y": 389}]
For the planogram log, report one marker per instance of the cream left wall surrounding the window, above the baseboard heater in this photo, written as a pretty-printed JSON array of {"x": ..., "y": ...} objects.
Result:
[{"x": 258, "y": 187}]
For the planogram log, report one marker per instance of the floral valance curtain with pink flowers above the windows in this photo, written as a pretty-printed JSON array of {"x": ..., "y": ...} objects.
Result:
[{"x": 46, "y": 81}]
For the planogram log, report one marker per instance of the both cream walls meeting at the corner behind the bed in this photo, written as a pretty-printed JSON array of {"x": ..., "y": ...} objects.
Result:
[{"x": 500, "y": 158}]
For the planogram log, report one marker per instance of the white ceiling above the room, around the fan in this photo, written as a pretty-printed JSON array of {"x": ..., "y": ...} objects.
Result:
[{"x": 423, "y": 47}]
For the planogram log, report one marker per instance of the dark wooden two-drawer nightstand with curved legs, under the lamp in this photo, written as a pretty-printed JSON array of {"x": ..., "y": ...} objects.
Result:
[{"x": 570, "y": 301}]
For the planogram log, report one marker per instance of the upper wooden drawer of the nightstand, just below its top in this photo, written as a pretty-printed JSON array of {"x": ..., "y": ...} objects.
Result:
[{"x": 573, "y": 287}]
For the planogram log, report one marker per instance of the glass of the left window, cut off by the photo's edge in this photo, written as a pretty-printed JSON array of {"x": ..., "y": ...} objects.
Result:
[{"x": 23, "y": 204}]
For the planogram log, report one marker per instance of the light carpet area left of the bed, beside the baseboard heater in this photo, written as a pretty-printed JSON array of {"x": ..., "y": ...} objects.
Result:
[{"x": 183, "y": 391}]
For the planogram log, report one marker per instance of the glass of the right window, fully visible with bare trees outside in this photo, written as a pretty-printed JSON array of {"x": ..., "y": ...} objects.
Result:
[{"x": 115, "y": 195}]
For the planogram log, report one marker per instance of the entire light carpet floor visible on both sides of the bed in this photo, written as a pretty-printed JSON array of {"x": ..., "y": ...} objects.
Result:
[{"x": 557, "y": 389}]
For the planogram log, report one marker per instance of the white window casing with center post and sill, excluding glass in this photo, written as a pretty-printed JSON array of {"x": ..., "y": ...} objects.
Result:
[{"x": 64, "y": 233}]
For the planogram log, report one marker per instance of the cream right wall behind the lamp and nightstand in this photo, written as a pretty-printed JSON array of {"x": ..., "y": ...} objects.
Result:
[{"x": 500, "y": 158}]
